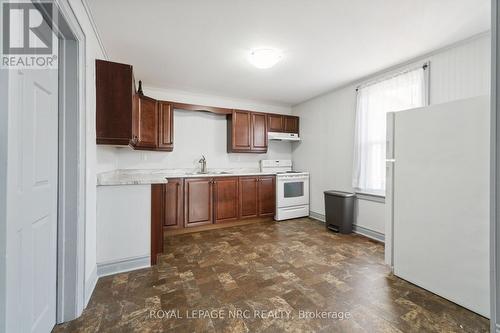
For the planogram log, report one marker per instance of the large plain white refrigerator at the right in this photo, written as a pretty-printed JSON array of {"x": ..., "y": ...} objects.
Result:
[{"x": 437, "y": 200}]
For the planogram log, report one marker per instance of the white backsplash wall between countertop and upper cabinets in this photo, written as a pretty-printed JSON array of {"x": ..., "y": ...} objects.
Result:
[{"x": 195, "y": 134}]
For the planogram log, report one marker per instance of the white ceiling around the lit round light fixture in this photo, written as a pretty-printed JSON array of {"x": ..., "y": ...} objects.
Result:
[{"x": 202, "y": 46}]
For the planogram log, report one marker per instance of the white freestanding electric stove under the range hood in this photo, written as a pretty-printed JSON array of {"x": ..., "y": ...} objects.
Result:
[{"x": 292, "y": 189}]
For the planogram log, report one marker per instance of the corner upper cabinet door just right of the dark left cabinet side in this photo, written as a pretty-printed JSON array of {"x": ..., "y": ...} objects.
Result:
[{"x": 146, "y": 123}]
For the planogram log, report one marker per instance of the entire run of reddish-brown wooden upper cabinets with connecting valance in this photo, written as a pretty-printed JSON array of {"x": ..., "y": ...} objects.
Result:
[{"x": 127, "y": 117}]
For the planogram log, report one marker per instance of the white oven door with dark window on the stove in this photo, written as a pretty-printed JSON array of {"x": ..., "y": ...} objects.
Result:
[{"x": 293, "y": 191}]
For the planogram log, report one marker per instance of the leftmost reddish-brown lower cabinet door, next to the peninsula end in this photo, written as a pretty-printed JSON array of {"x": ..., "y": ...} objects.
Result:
[{"x": 173, "y": 207}]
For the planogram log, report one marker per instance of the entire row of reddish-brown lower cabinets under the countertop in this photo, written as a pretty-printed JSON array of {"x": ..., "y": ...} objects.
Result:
[{"x": 192, "y": 202}]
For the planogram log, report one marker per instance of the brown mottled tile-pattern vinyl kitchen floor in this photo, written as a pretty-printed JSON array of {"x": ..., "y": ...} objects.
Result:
[{"x": 291, "y": 276}]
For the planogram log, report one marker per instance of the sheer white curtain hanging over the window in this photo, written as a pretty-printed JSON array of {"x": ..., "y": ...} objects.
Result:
[{"x": 403, "y": 91}]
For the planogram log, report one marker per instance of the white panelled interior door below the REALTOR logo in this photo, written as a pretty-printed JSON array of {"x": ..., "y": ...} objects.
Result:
[{"x": 32, "y": 197}]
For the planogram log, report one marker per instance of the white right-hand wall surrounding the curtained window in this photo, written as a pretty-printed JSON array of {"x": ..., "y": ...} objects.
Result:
[{"x": 327, "y": 121}]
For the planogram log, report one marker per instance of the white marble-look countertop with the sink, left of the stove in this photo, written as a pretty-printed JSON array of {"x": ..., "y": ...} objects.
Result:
[{"x": 160, "y": 176}]
